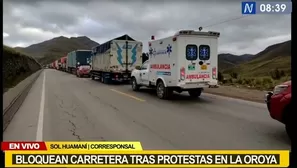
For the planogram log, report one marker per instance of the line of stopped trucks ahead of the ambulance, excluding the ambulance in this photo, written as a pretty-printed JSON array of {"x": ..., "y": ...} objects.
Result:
[{"x": 112, "y": 61}]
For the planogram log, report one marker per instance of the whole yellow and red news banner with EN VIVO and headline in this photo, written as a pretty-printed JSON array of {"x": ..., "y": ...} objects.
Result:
[{"x": 130, "y": 154}]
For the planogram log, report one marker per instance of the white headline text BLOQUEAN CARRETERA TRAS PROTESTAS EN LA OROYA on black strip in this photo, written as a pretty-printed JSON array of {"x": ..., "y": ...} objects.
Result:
[{"x": 161, "y": 159}]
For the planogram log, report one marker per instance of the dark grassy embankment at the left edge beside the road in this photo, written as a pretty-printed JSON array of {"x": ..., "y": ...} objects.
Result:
[{"x": 16, "y": 67}]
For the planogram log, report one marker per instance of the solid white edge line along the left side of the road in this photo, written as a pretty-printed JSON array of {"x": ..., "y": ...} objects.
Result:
[{"x": 39, "y": 133}]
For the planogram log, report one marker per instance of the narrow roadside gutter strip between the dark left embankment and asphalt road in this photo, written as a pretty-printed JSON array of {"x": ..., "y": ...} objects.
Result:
[{"x": 14, "y": 97}]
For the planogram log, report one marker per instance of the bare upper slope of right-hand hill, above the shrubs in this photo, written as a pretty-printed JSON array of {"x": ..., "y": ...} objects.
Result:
[{"x": 277, "y": 56}]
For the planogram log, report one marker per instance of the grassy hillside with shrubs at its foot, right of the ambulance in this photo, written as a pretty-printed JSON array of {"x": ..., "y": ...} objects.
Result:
[{"x": 266, "y": 69}]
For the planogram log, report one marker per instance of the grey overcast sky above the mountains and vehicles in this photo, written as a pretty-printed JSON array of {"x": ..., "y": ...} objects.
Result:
[{"x": 34, "y": 21}]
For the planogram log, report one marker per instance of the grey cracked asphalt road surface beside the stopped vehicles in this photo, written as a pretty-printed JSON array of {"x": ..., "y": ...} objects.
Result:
[{"x": 62, "y": 107}]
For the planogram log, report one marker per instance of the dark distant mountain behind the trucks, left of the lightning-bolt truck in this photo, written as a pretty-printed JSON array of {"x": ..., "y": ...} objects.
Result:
[{"x": 50, "y": 50}]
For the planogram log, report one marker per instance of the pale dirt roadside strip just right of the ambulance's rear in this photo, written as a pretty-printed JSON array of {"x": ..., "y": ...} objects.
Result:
[{"x": 237, "y": 92}]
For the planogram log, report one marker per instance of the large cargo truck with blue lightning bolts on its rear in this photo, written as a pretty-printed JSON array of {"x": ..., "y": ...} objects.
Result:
[{"x": 114, "y": 60}]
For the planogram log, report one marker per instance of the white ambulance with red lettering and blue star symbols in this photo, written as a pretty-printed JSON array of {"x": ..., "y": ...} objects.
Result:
[{"x": 186, "y": 61}]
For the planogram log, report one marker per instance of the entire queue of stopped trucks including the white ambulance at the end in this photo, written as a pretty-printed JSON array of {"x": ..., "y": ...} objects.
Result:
[{"x": 186, "y": 61}]
